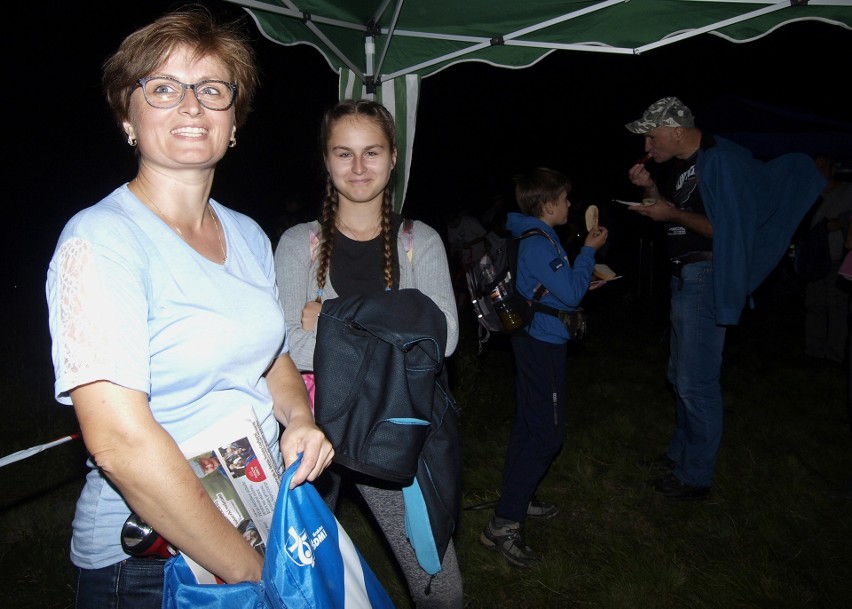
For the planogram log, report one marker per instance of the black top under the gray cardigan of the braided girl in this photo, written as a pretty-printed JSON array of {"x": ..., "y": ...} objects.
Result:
[{"x": 357, "y": 267}]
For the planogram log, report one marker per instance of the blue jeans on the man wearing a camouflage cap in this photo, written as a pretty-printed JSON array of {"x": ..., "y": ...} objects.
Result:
[{"x": 695, "y": 365}]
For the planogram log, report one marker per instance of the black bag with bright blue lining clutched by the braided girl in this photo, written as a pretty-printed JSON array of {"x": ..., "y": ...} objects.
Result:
[{"x": 383, "y": 400}]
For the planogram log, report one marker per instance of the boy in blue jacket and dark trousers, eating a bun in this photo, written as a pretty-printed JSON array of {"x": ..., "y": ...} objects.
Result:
[{"x": 541, "y": 354}]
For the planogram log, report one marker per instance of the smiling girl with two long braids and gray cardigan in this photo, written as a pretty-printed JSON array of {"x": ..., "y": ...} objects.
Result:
[{"x": 359, "y": 247}]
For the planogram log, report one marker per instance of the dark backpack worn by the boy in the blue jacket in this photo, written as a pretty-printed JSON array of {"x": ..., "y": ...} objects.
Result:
[{"x": 491, "y": 283}]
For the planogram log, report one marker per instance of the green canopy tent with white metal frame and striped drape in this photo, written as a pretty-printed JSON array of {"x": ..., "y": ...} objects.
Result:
[{"x": 383, "y": 48}]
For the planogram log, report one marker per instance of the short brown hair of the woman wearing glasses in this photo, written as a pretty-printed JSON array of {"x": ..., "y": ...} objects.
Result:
[{"x": 149, "y": 47}]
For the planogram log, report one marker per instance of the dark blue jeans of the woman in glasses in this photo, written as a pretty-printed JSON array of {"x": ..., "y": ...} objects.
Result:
[{"x": 135, "y": 583}]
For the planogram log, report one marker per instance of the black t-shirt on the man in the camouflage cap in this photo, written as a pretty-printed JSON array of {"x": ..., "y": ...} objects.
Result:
[{"x": 681, "y": 188}]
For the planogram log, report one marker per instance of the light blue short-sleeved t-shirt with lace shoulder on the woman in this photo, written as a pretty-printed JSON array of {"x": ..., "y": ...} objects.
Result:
[{"x": 130, "y": 302}]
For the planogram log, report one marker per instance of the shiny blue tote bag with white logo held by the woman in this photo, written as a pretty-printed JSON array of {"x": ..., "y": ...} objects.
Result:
[{"x": 311, "y": 563}]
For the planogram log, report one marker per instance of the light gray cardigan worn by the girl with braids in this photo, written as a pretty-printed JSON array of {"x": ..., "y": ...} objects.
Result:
[{"x": 296, "y": 275}]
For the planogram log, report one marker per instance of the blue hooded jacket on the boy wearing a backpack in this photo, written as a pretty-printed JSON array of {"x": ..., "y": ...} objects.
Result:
[{"x": 540, "y": 263}]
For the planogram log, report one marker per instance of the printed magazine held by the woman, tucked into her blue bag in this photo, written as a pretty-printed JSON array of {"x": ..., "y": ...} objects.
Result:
[{"x": 236, "y": 468}]
